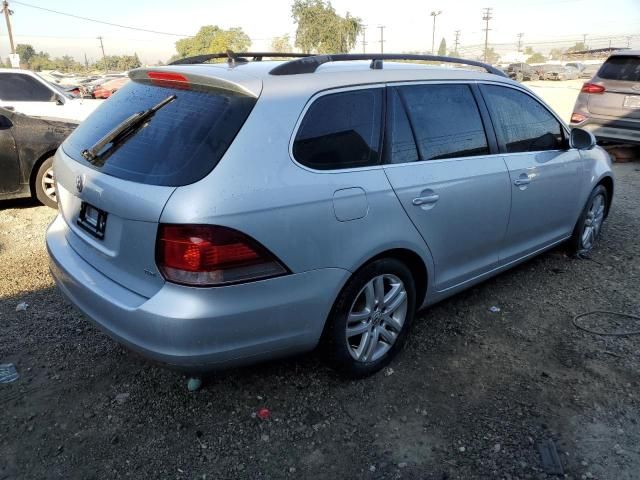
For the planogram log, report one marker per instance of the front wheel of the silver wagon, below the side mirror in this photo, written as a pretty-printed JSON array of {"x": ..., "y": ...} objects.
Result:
[{"x": 589, "y": 225}]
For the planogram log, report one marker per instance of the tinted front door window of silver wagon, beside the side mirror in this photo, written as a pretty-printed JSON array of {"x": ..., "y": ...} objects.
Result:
[{"x": 521, "y": 122}]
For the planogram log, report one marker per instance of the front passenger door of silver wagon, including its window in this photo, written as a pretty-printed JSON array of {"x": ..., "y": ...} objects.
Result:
[{"x": 545, "y": 173}]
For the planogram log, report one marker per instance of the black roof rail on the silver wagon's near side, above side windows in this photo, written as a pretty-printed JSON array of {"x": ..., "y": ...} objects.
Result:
[{"x": 310, "y": 64}]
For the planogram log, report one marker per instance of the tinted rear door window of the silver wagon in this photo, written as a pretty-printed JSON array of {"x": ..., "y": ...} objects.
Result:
[{"x": 445, "y": 121}]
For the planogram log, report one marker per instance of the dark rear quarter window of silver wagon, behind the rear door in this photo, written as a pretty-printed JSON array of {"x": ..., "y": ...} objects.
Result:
[{"x": 341, "y": 130}]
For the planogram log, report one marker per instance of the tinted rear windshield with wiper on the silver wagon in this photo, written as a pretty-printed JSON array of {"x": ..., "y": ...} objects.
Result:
[{"x": 180, "y": 144}]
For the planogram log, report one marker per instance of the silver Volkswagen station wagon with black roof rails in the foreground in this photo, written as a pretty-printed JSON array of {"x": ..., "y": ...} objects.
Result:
[{"x": 220, "y": 214}]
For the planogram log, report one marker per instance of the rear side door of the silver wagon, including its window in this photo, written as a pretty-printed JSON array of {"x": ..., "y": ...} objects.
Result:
[{"x": 452, "y": 185}]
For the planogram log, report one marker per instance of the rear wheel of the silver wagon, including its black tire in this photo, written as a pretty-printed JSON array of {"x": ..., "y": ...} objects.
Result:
[{"x": 353, "y": 353}]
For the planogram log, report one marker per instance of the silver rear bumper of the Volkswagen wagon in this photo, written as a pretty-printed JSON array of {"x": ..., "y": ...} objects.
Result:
[{"x": 199, "y": 329}]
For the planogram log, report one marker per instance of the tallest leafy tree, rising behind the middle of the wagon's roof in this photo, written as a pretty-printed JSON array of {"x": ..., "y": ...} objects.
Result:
[{"x": 321, "y": 29}]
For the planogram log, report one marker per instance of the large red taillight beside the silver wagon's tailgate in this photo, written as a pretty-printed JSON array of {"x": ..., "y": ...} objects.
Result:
[{"x": 208, "y": 255}]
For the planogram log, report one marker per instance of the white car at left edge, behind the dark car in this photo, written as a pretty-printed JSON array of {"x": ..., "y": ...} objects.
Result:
[{"x": 26, "y": 92}]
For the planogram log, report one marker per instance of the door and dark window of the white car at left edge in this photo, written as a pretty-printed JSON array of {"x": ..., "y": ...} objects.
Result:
[{"x": 25, "y": 94}]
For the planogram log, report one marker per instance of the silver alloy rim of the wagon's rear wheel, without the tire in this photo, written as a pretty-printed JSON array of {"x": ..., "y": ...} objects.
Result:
[{"x": 376, "y": 318}]
